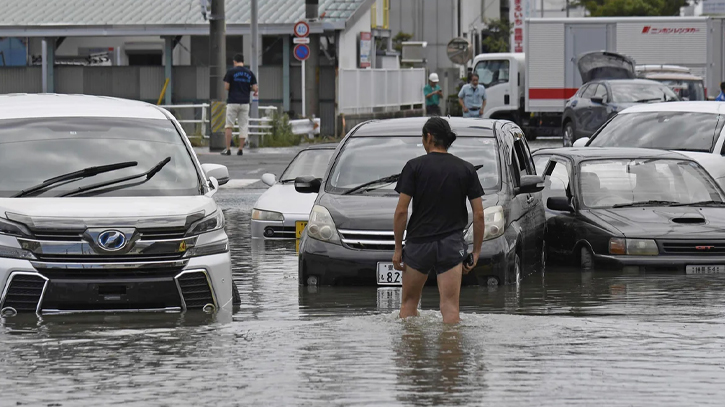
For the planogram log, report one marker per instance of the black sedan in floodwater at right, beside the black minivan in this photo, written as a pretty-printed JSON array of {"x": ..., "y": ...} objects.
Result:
[{"x": 657, "y": 211}]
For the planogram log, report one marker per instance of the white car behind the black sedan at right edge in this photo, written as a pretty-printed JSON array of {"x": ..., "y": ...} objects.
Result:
[{"x": 692, "y": 128}]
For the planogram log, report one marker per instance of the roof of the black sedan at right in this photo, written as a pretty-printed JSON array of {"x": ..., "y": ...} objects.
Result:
[{"x": 587, "y": 153}]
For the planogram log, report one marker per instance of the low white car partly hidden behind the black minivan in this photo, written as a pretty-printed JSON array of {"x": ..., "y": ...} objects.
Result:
[{"x": 281, "y": 212}]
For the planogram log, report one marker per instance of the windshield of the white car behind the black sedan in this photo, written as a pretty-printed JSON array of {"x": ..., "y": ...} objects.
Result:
[{"x": 685, "y": 131}]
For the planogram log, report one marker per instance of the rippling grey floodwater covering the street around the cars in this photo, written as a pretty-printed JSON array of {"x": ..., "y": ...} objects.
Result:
[{"x": 559, "y": 338}]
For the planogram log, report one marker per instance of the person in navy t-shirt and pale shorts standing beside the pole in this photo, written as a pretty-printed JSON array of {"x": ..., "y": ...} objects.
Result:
[{"x": 240, "y": 82}]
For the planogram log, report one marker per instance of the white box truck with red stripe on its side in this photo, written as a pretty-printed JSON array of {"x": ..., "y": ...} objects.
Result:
[{"x": 531, "y": 88}]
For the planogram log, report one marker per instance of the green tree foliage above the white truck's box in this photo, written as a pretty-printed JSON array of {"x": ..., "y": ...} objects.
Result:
[{"x": 617, "y": 8}]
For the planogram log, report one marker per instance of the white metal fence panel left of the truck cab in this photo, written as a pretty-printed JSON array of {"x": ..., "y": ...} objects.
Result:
[{"x": 373, "y": 90}]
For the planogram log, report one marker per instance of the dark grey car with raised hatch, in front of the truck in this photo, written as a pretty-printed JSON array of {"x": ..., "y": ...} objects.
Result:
[{"x": 609, "y": 87}]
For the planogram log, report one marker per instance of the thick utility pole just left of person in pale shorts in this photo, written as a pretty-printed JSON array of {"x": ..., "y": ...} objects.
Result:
[{"x": 217, "y": 70}]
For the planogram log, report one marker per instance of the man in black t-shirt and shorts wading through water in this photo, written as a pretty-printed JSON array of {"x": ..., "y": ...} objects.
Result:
[{"x": 439, "y": 184}]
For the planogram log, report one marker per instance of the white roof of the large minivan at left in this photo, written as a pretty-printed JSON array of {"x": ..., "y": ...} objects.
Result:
[{"x": 44, "y": 105}]
